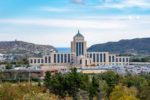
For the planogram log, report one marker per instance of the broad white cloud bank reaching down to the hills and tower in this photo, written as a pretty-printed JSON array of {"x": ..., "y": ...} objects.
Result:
[{"x": 59, "y": 32}]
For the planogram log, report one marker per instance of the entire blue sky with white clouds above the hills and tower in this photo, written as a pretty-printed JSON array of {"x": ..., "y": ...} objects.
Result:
[{"x": 55, "y": 22}]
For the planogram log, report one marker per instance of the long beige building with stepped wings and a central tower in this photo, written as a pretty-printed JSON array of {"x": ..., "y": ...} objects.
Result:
[{"x": 79, "y": 56}]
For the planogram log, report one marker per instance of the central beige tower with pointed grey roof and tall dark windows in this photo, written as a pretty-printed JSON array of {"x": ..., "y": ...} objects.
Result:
[{"x": 78, "y": 45}]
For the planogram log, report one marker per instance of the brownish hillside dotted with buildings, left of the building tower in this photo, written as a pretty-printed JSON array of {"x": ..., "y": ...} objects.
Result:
[{"x": 20, "y": 47}]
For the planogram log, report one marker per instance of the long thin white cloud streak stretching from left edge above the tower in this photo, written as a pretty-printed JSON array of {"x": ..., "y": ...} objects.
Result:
[{"x": 94, "y": 24}]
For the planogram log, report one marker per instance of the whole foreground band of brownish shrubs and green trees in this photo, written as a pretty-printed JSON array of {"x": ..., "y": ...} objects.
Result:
[{"x": 78, "y": 86}]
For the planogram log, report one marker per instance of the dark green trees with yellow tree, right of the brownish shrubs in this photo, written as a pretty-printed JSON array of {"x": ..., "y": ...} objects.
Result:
[{"x": 104, "y": 86}]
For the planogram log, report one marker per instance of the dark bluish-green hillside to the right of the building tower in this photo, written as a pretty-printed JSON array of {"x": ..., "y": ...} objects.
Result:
[{"x": 134, "y": 46}]
